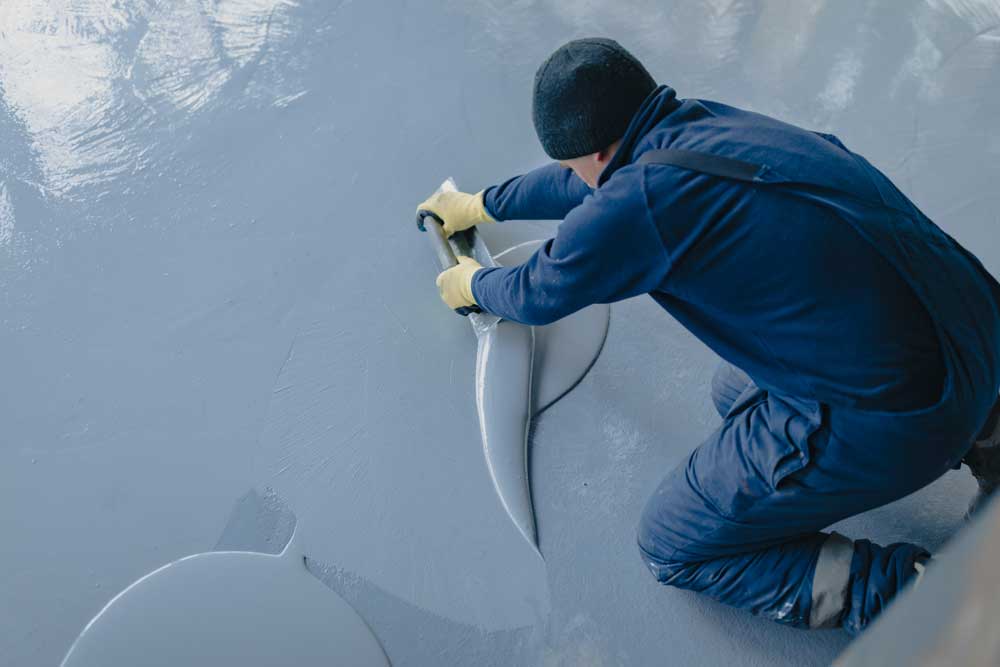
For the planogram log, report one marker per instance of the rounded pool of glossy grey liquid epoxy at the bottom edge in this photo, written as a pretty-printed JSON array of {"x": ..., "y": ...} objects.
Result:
[{"x": 228, "y": 608}]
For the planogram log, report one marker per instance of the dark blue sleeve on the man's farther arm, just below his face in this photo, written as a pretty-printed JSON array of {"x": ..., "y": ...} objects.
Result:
[{"x": 547, "y": 193}]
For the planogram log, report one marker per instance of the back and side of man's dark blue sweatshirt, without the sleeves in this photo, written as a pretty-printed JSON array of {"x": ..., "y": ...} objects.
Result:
[{"x": 782, "y": 286}]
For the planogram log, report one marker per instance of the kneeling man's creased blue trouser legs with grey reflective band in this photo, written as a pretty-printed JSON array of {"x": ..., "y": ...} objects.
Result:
[{"x": 739, "y": 520}]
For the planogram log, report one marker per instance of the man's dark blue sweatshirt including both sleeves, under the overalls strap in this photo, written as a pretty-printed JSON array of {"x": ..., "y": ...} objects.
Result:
[{"x": 779, "y": 284}]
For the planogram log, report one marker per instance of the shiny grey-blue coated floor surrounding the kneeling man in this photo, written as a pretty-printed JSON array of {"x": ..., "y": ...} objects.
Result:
[{"x": 211, "y": 283}]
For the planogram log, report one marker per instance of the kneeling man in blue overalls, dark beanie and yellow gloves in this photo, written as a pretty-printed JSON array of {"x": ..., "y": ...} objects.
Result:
[{"x": 860, "y": 343}]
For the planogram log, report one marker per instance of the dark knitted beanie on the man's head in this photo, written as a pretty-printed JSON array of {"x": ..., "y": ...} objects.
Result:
[{"x": 585, "y": 96}]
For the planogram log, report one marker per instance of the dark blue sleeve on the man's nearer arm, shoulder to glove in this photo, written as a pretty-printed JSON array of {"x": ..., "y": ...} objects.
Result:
[{"x": 607, "y": 249}]
